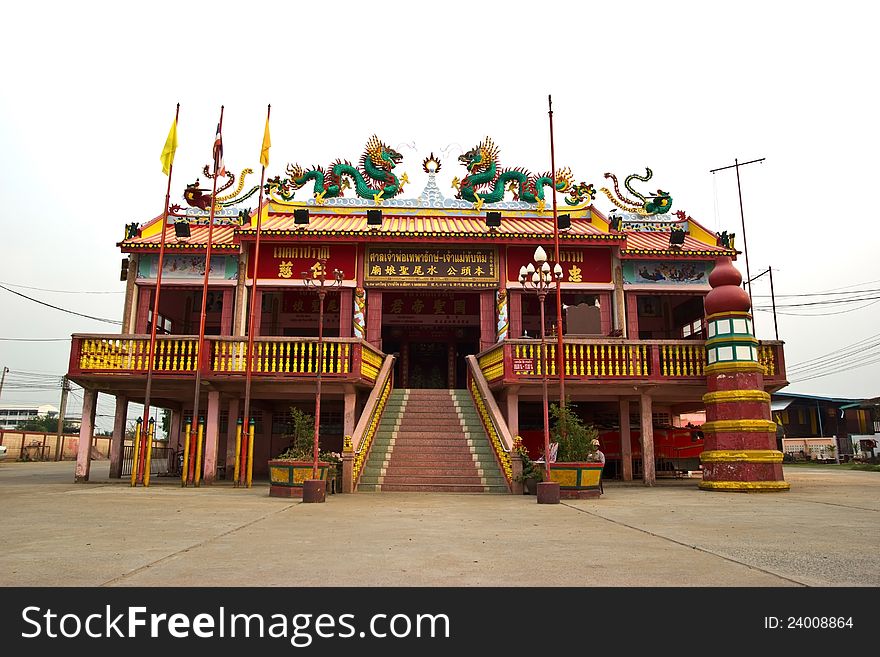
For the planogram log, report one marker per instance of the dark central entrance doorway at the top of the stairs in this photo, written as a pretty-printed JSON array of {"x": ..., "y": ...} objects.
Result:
[{"x": 431, "y": 333}]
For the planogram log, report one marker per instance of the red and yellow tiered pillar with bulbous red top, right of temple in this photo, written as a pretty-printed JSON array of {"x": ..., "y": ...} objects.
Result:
[{"x": 740, "y": 438}]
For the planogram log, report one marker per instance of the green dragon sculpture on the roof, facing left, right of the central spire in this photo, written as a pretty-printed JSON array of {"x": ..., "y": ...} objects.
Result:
[{"x": 486, "y": 183}]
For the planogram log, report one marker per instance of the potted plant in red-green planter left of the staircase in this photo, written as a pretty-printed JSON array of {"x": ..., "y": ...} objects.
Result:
[{"x": 294, "y": 465}]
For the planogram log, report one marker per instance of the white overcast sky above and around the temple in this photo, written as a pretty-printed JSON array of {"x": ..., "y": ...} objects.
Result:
[{"x": 89, "y": 89}]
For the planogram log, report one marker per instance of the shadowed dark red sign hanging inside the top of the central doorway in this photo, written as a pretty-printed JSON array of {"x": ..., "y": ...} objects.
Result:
[{"x": 430, "y": 308}]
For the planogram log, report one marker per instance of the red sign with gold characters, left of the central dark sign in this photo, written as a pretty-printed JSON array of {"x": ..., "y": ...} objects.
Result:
[{"x": 287, "y": 261}]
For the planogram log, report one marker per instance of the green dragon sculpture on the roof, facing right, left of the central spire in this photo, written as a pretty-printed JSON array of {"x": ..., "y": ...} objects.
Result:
[{"x": 376, "y": 164}]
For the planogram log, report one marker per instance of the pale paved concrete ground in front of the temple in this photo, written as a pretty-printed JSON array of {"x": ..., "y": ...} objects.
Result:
[{"x": 824, "y": 532}]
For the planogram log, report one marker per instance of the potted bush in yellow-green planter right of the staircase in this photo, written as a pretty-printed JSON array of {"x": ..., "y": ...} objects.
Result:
[{"x": 577, "y": 468}]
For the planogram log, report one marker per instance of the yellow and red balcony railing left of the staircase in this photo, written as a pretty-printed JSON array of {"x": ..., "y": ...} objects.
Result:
[{"x": 107, "y": 356}]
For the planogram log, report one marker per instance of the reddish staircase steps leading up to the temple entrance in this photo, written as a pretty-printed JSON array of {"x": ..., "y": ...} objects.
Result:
[{"x": 432, "y": 441}]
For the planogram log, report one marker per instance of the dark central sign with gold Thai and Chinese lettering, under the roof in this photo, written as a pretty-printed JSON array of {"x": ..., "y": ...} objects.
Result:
[{"x": 398, "y": 266}]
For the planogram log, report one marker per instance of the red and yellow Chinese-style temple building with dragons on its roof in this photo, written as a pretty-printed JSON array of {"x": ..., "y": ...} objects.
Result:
[{"x": 430, "y": 335}]
